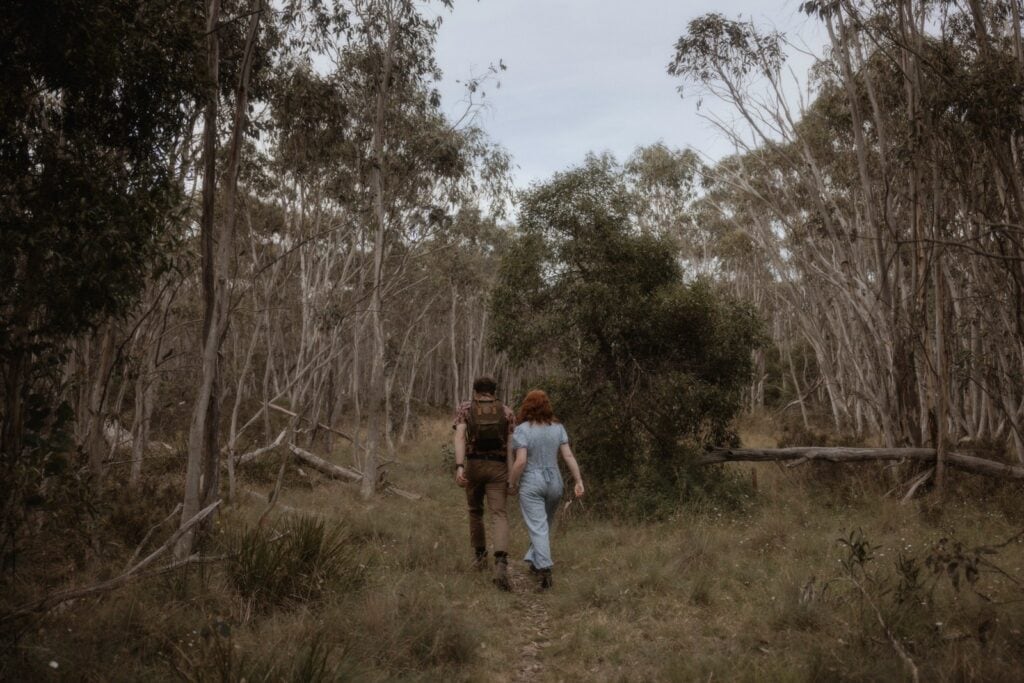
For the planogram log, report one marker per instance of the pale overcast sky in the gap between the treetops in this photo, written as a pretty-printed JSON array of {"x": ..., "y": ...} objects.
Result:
[{"x": 588, "y": 75}]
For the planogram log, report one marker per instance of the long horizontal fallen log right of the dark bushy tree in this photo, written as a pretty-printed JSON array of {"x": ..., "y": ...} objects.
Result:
[{"x": 961, "y": 461}]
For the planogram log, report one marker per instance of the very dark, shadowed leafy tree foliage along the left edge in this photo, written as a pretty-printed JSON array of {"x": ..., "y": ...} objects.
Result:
[{"x": 96, "y": 97}]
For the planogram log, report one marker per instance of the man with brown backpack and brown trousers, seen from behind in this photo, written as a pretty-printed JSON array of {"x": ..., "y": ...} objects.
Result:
[{"x": 483, "y": 457}]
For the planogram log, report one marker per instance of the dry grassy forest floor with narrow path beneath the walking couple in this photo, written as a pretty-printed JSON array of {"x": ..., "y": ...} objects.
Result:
[{"x": 766, "y": 592}]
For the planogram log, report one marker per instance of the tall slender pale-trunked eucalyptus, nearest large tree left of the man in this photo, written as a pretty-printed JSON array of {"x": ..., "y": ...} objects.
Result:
[{"x": 415, "y": 167}]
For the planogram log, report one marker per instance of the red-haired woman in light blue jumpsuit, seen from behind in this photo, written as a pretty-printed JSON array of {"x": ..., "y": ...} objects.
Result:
[{"x": 538, "y": 441}]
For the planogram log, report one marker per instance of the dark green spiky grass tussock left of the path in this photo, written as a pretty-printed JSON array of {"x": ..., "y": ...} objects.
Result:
[{"x": 302, "y": 562}]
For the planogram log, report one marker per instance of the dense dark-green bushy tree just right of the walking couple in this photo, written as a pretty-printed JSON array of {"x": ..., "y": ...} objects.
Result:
[{"x": 647, "y": 369}]
